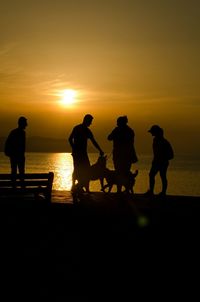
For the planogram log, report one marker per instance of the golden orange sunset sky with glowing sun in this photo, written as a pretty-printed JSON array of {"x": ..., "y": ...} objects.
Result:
[{"x": 138, "y": 58}]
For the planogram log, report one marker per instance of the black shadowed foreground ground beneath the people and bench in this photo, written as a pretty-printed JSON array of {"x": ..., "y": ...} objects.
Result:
[{"x": 101, "y": 247}]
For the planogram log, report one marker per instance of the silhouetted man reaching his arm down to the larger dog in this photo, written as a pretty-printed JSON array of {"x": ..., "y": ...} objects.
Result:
[{"x": 78, "y": 141}]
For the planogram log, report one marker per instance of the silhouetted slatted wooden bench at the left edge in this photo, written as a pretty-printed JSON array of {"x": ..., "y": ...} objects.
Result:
[{"x": 39, "y": 184}]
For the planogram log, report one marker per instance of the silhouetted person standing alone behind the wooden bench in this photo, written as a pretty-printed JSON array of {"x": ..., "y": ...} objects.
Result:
[{"x": 15, "y": 146}]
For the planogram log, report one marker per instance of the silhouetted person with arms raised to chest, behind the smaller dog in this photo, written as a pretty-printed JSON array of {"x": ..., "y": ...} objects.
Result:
[{"x": 123, "y": 147}]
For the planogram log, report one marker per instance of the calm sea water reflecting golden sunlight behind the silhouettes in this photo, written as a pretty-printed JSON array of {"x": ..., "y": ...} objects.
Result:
[{"x": 183, "y": 173}]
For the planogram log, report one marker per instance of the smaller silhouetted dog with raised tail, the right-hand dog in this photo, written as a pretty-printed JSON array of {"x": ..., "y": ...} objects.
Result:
[{"x": 113, "y": 178}]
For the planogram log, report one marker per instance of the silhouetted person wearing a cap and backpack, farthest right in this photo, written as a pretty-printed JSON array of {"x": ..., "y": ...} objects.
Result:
[{"x": 162, "y": 153}]
